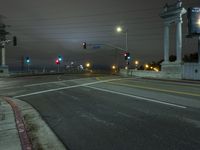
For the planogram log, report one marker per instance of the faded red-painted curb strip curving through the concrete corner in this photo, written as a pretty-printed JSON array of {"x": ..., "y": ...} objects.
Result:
[{"x": 25, "y": 142}]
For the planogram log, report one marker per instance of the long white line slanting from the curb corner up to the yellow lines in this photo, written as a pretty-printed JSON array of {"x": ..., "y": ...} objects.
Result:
[{"x": 64, "y": 88}]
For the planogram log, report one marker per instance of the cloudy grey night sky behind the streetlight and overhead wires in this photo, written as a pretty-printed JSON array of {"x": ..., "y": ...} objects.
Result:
[{"x": 48, "y": 28}]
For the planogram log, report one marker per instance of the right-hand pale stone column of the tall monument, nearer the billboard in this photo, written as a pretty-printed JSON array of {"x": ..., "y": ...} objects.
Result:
[{"x": 179, "y": 41}]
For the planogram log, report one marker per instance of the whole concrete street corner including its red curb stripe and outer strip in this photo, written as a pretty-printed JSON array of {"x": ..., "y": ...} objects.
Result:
[{"x": 22, "y": 128}]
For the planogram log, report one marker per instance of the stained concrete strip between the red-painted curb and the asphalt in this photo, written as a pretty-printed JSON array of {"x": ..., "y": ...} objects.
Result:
[{"x": 40, "y": 134}]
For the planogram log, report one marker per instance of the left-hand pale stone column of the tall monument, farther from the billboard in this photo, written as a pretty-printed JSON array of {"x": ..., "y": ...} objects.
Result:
[{"x": 166, "y": 43}]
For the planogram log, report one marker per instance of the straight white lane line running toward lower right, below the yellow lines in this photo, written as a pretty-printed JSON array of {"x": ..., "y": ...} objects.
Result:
[{"x": 137, "y": 97}]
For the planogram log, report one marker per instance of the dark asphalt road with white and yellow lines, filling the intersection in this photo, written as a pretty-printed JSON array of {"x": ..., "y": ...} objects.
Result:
[{"x": 114, "y": 113}]
